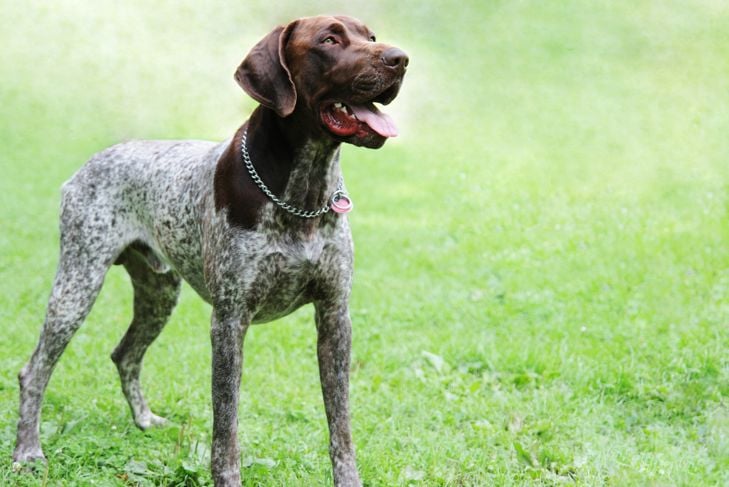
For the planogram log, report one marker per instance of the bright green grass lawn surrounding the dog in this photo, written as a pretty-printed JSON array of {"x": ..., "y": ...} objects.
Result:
[{"x": 542, "y": 285}]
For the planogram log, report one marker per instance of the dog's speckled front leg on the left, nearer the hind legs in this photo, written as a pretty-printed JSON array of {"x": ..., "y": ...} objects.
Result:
[{"x": 227, "y": 333}]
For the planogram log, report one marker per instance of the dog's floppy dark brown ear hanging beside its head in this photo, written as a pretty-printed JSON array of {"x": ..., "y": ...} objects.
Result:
[{"x": 263, "y": 74}]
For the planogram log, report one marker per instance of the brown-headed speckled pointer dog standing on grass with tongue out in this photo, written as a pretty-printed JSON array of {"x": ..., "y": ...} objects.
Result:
[{"x": 256, "y": 225}]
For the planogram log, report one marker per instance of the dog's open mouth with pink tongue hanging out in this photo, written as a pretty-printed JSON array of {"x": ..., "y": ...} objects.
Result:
[{"x": 346, "y": 120}]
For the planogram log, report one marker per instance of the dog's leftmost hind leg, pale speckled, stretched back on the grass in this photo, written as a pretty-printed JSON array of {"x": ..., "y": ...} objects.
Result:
[{"x": 79, "y": 277}]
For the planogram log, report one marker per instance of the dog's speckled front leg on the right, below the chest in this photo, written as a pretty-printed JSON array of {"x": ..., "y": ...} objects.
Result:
[{"x": 334, "y": 342}]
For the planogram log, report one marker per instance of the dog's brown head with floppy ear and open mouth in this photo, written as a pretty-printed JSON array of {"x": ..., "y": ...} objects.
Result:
[{"x": 330, "y": 70}]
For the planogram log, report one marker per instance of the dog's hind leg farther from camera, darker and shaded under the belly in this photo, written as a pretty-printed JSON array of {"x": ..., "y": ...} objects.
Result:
[{"x": 155, "y": 296}]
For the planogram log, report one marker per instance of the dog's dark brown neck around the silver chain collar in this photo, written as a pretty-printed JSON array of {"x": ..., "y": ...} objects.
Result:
[{"x": 301, "y": 169}]
